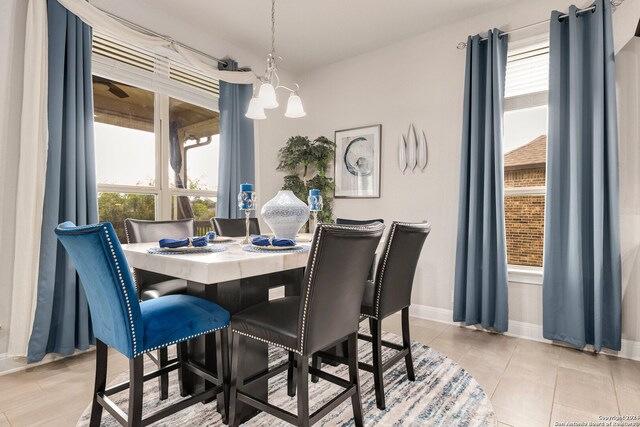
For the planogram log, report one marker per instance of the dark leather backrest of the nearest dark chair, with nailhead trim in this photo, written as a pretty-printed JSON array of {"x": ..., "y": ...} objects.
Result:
[{"x": 337, "y": 269}]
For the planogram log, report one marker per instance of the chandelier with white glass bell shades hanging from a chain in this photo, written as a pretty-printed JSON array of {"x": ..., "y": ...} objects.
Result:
[{"x": 266, "y": 98}]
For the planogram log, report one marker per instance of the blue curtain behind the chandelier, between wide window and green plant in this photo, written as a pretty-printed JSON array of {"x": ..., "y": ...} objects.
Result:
[{"x": 236, "y": 159}]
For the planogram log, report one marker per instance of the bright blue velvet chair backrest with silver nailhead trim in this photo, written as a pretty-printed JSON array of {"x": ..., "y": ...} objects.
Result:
[{"x": 104, "y": 274}]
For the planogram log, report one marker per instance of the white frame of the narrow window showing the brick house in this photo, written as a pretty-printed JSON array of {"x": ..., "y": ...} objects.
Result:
[{"x": 521, "y": 273}]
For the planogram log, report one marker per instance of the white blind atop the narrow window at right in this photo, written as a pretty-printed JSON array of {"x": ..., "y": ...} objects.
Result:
[{"x": 527, "y": 71}]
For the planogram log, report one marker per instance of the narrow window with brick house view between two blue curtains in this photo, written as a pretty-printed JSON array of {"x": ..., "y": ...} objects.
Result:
[{"x": 525, "y": 143}]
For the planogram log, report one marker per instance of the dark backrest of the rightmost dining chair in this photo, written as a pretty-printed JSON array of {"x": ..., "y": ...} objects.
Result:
[{"x": 397, "y": 267}]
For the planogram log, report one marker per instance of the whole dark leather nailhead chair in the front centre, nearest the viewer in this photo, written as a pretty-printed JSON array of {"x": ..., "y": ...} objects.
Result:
[{"x": 325, "y": 314}]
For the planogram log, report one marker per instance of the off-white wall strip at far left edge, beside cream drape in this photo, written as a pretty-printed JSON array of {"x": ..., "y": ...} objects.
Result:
[{"x": 12, "y": 22}]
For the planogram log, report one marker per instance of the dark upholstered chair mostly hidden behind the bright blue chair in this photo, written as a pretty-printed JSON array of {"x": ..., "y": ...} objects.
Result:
[{"x": 150, "y": 285}]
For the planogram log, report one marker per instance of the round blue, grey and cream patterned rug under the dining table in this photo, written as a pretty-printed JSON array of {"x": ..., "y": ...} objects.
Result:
[{"x": 443, "y": 394}]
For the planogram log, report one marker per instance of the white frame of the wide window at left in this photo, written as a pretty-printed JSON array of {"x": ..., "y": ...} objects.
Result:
[{"x": 163, "y": 87}]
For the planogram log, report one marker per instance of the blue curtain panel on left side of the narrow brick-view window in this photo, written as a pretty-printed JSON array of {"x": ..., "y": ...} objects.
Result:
[{"x": 481, "y": 255}]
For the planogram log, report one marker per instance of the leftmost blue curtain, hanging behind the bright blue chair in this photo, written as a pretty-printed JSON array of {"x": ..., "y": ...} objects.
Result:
[{"x": 62, "y": 321}]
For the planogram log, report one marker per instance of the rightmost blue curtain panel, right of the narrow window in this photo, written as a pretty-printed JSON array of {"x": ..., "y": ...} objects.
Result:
[{"x": 582, "y": 273}]
